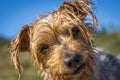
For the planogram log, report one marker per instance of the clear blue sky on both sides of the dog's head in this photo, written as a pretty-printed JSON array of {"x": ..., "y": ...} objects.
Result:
[{"x": 16, "y": 13}]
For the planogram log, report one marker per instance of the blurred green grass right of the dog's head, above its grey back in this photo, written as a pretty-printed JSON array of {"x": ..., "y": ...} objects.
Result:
[{"x": 109, "y": 42}]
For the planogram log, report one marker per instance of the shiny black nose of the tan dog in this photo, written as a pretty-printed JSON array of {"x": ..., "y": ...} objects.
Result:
[{"x": 72, "y": 61}]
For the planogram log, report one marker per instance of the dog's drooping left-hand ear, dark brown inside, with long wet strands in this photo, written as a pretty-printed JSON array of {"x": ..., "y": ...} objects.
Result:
[{"x": 19, "y": 44}]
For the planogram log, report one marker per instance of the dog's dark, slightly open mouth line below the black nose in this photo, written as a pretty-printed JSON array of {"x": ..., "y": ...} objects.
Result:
[{"x": 77, "y": 70}]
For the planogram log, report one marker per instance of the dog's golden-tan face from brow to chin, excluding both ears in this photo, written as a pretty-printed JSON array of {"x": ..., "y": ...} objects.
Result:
[{"x": 60, "y": 49}]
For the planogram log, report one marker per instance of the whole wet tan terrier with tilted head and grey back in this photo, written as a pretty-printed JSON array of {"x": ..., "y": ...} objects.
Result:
[{"x": 62, "y": 45}]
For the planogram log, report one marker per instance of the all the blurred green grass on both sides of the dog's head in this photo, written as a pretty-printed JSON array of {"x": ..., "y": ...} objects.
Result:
[{"x": 110, "y": 42}]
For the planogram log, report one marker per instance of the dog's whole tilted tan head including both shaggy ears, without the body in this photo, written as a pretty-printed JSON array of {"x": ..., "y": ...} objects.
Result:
[{"x": 60, "y": 43}]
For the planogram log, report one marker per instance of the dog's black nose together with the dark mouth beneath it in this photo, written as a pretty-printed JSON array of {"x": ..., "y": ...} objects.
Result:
[{"x": 74, "y": 62}]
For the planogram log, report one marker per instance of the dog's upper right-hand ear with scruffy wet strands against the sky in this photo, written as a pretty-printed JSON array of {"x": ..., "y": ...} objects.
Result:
[{"x": 79, "y": 8}]
